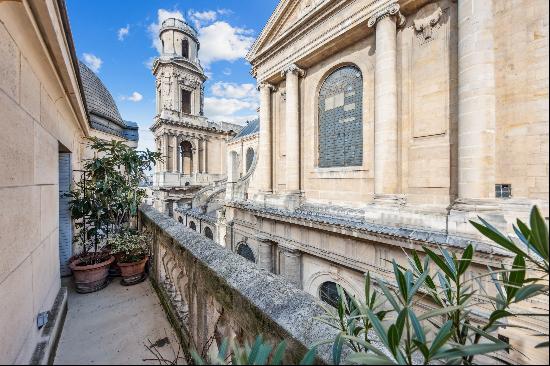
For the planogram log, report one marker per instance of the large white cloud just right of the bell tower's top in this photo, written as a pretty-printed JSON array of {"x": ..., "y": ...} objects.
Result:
[{"x": 221, "y": 41}]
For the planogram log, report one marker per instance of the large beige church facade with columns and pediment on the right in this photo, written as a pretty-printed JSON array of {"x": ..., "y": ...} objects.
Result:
[{"x": 386, "y": 125}]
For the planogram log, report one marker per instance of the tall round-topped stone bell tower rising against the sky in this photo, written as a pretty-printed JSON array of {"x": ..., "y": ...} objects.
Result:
[{"x": 193, "y": 148}]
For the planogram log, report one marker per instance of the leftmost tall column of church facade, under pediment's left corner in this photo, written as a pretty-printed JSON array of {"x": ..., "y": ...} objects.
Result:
[{"x": 265, "y": 163}]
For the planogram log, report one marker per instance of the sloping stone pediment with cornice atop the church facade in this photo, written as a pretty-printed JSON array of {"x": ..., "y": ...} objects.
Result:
[{"x": 300, "y": 31}]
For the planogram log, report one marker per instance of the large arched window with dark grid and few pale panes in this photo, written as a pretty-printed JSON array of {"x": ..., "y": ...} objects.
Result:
[{"x": 341, "y": 119}]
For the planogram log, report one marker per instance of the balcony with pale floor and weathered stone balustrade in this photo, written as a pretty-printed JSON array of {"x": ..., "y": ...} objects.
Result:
[{"x": 207, "y": 292}]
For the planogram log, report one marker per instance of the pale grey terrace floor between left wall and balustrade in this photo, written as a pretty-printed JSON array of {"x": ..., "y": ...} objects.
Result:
[{"x": 114, "y": 325}]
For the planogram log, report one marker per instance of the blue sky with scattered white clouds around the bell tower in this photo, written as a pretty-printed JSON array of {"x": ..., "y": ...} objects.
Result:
[{"x": 116, "y": 39}]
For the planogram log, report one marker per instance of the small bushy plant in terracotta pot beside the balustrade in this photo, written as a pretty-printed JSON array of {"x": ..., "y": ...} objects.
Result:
[{"x": 132, "y": 252}]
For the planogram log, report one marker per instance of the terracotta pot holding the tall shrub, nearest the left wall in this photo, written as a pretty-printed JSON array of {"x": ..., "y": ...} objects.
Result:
[{"x": 90, "y": 278}]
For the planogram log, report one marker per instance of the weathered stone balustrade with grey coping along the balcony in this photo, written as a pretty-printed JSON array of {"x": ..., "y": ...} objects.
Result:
[{"x": 211, "y": 293}]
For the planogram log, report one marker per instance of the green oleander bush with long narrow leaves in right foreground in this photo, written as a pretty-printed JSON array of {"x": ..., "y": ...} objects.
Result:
[{"x": 453, "y": 331}]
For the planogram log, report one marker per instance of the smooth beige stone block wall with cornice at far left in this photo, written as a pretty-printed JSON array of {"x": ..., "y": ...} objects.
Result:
[{"x": 41, "y": 115}]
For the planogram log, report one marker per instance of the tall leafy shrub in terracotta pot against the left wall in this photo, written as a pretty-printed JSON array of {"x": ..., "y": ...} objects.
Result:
[{"x": 104, "y": 203}]
